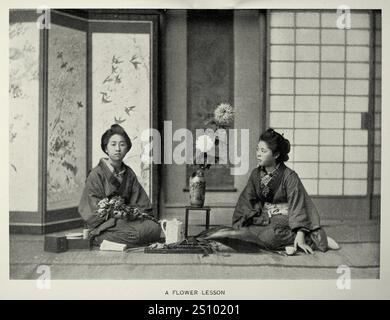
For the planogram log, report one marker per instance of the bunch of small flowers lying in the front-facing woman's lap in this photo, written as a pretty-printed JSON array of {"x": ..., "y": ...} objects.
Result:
[{"x": 116, "y": 207}]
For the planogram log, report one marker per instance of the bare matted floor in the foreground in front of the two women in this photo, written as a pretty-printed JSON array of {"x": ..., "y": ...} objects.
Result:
[{"x": 359, "y": 241}]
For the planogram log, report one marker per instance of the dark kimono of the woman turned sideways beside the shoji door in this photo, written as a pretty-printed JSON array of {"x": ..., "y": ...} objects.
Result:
[{"x": 275, "y": 231}]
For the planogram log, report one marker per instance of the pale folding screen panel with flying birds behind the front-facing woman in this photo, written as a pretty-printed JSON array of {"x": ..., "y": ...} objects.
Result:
[{"x": 121, "y": 86}]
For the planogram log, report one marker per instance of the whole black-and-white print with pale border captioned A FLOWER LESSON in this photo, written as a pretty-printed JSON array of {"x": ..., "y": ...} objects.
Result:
[{"x": 195, "y": 144}]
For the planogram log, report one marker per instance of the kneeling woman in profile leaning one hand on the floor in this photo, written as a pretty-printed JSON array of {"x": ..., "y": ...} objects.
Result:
[{"x": 274, "y": 208}]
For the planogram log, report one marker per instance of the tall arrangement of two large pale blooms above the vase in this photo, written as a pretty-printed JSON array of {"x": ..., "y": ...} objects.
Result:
[{"x": 223, "y": 118}]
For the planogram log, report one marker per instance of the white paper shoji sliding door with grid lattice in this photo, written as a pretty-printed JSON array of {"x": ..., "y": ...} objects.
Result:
[{"x": 323, "y": 89}]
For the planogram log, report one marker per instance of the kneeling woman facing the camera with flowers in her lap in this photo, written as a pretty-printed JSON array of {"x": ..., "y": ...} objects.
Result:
[{"x": 112, "y": 178}]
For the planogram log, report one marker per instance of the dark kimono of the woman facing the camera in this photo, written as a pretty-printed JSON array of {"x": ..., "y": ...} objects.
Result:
[{"x": 102, "y": 183}]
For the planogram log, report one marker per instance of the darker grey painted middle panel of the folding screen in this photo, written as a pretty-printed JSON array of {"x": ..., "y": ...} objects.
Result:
[{"x": 66, "y": 117}]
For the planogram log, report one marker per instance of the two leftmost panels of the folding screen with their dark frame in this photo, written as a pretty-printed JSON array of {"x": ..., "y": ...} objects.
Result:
[{"x": 48, "y": 142}]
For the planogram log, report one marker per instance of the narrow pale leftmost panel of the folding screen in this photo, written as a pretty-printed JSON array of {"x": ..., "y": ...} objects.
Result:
[{"x": 23, "y": 114}]
